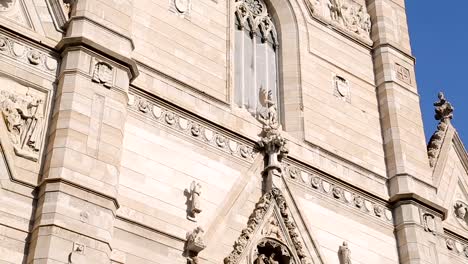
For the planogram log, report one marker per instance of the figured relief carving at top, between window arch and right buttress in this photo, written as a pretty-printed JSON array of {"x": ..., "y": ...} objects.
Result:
[{"x": 345, "y": 15}]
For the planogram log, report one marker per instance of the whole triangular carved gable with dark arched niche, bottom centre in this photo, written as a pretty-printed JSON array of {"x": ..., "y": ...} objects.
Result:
[{"x": 271, "y": 235}]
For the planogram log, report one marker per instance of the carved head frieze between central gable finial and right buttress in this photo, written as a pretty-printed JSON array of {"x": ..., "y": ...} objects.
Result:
[{"x": 339, "y": 192}]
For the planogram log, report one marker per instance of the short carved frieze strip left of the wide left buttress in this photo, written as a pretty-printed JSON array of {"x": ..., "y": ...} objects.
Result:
[{"x": 24, "y": 54}]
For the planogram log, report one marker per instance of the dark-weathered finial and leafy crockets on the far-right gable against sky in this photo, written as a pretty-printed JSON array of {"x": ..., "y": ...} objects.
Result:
[{"x": 443, "y": 113}]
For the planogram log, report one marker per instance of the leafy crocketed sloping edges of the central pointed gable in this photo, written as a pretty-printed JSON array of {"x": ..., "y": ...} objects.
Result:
[{"x": 255, "y": 220}]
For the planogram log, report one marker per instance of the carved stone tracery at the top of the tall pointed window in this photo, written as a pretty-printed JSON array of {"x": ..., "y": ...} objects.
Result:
[{"x": 253, "y": 15}]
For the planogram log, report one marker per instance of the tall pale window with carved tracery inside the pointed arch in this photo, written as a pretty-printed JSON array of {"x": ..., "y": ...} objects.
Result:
[{"x": 256, "y": 55}]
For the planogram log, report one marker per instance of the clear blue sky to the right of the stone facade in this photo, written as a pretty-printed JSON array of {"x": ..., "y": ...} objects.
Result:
[{"x": 439, "y": 39}]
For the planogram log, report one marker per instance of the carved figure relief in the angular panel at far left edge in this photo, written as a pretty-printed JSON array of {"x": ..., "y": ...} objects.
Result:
[{"x": 23, "y": 116}]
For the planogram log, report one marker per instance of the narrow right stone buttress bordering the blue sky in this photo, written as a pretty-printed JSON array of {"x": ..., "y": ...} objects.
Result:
[{"x": 410, "y": 178}]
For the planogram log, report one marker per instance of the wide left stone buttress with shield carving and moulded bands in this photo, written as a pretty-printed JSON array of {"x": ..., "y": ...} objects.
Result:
[{"x": 77, "y": 198}]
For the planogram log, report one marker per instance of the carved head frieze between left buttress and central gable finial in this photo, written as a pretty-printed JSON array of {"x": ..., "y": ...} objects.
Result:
[{"x": 190, "y": 127}]
